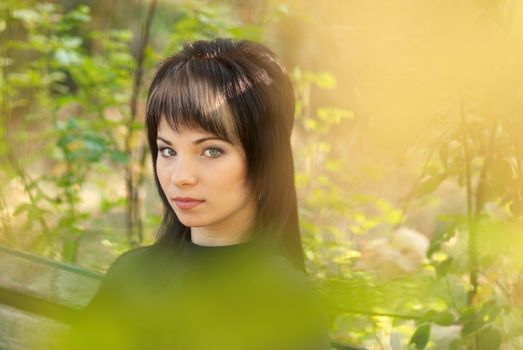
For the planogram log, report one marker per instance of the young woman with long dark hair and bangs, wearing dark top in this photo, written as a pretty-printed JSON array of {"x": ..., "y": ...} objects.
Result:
[{"x": 227, "y": 271}]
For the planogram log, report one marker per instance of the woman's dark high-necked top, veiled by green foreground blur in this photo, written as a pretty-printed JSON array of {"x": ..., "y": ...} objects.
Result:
[{"x": 227, "y": 297}]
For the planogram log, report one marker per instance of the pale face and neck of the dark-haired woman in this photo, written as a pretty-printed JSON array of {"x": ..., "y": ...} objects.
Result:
[{"x": 204, "y": 179}]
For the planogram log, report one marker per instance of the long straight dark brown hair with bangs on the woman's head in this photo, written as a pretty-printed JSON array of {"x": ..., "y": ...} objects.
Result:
[{"x": 239, "y": 91}]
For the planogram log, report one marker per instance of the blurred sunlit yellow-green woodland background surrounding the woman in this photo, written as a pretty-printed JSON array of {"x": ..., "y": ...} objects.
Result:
[{"x": 407, "y": 143}]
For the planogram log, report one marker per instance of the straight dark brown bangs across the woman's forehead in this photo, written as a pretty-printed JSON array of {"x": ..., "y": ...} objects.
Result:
[{"x": 191, "y": 95}]
